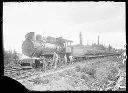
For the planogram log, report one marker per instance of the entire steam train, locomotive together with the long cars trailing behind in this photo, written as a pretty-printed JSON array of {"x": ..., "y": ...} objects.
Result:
[{"x": 38, "y": 47}]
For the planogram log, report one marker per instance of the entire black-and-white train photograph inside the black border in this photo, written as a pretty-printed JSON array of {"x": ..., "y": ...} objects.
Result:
[{"x": 65, "y": 46}]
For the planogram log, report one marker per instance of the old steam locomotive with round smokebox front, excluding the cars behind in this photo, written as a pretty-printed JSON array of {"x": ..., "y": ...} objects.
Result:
[{"x": 38, "y": 47}]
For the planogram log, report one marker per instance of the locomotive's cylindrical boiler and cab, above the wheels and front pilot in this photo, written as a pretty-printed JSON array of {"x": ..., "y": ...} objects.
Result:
[{"x": 44, "y": 46}]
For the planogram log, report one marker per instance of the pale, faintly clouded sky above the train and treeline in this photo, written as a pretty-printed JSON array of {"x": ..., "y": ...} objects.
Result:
[{"x": 66, "y": 19}]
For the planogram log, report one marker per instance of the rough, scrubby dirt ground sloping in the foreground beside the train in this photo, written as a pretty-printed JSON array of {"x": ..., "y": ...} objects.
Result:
[{"x": 72, "y": 78}]
